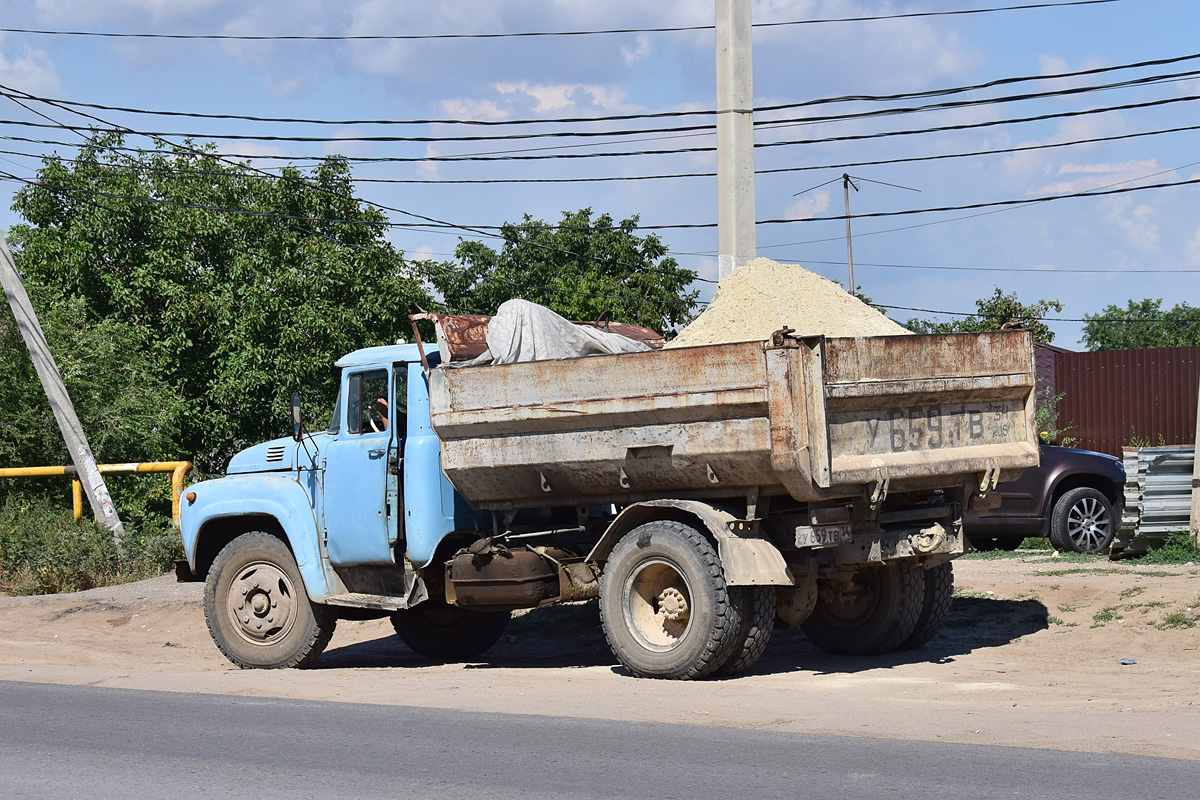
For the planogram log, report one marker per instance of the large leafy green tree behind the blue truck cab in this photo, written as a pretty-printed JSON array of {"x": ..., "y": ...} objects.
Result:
[{"x": 235, "y": 287}]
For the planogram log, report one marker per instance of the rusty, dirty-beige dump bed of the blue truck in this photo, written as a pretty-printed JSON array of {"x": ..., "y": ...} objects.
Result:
[{"x": 814, "y": 418}]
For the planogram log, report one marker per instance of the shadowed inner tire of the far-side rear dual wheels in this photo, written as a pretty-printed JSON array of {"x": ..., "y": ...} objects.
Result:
[{"x": 879, "y": 619}]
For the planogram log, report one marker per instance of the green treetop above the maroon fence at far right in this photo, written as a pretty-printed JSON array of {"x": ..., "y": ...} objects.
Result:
[{"x": 1143, "y": 326}]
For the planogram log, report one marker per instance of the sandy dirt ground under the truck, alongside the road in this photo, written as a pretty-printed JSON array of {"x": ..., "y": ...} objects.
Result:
[{"x": 1030, "y": 658}]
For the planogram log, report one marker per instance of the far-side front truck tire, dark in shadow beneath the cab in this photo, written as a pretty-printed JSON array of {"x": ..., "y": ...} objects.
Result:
[{"x": 445, "y": 633}]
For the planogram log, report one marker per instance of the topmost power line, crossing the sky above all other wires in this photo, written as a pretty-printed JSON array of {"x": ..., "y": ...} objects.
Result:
[{"x": 351, "y": 38}]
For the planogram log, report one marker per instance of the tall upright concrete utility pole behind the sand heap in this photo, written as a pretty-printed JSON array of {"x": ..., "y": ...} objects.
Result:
[{"x": 735, "y": 137}]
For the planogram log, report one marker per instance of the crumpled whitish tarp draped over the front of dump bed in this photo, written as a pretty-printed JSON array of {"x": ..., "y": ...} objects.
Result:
[{"x": 525, "y": 332}]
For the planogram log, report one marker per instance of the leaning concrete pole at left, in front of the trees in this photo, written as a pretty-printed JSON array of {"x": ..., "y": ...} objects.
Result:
[{"x": 57, "y": 394}]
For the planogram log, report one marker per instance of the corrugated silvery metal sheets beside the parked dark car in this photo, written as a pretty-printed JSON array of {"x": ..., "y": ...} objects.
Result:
[{"x": 1157, "y": 497}]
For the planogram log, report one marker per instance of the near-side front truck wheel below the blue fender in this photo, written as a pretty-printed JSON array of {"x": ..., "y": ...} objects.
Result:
[{"x": 257, "y": 610}]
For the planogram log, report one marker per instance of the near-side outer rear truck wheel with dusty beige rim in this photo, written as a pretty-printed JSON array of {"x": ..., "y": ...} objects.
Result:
[{"x": 664, "y": 604}]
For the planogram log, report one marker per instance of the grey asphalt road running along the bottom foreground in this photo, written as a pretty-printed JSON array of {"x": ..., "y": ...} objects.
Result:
[{"x": 71, "y": 742}]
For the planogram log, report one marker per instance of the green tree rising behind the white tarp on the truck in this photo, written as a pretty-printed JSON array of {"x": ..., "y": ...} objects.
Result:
[{"x": 580, "y": 269}]
